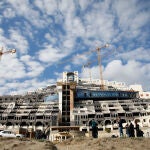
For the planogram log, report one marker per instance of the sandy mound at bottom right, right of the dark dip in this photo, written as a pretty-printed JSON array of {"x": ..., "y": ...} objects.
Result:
[{"x": 106, "y": 144}]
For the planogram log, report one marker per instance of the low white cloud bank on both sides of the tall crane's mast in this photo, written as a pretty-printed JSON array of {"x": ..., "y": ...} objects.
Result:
[{"x": 132, "y": 72}]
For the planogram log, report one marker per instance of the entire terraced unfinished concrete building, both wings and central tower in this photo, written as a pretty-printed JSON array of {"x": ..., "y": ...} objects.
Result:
[{"x": 77, "y": 102}]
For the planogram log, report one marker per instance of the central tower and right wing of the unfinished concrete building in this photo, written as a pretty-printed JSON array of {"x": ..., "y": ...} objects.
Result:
[{"x": 81, "y": 101}]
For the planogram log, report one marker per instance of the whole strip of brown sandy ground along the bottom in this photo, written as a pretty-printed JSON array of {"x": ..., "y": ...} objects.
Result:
[{"x": 78, "y": 143}]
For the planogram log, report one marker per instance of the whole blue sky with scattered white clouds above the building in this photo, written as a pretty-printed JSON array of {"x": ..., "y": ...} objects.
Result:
[{"x": 52, "y": 36}]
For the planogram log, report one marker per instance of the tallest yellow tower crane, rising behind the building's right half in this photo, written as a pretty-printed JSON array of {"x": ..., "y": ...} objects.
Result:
[{"x": 98, "y": 49}]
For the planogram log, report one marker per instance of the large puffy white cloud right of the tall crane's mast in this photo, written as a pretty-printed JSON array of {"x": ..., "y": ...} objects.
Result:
[{"x": 132, "y": 72}]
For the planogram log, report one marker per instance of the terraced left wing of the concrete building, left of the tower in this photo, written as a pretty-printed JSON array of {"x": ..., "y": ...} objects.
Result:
[{"x": 32, "y": 110}]
